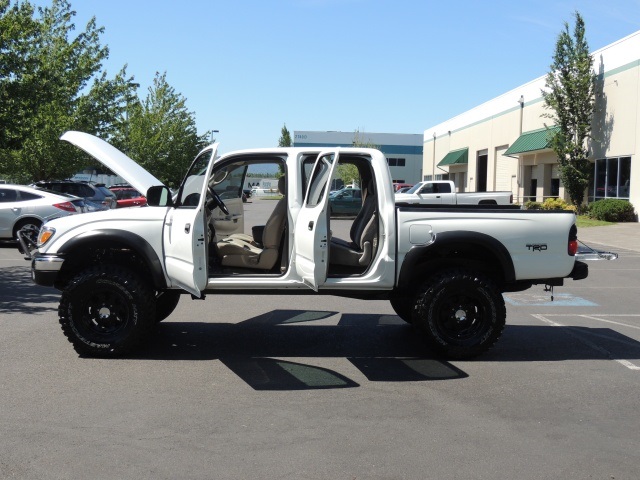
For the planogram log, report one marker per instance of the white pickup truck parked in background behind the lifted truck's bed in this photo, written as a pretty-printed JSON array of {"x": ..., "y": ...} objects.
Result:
[{"x": 444, "y": 192}]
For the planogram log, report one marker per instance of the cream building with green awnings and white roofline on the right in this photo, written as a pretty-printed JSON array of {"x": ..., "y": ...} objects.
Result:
[{"x": 503, "y": 144}]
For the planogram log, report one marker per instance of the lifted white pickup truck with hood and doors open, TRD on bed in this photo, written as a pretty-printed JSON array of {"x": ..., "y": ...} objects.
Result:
[{"x": 443, "y": 269}]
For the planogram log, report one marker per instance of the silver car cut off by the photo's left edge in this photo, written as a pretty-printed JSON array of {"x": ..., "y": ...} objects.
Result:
[{"x": 25, "y": 209}]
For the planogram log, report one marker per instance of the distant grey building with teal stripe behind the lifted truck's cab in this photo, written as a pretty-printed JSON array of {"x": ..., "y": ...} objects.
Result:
[{"x": 403, "y": 151}]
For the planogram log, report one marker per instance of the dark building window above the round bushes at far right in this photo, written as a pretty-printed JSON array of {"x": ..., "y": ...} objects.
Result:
[{"x": 612, "y": 177}]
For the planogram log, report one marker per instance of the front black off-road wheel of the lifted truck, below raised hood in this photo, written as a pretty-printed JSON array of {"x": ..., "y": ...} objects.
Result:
[{"x": 106, "y": 311}]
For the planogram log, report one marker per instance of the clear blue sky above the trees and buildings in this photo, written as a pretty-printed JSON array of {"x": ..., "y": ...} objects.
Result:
[{"x": 398, "y": 66}]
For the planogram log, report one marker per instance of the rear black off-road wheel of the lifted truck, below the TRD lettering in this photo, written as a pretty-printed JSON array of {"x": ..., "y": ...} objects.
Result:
[{"x": 461, "y": 312}]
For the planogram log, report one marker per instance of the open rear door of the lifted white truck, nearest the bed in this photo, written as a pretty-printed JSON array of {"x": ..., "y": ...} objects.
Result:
[{"x": 311, "y": 240}]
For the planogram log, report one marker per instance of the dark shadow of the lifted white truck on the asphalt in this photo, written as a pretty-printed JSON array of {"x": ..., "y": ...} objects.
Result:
[{"x": 268, "y": 351}]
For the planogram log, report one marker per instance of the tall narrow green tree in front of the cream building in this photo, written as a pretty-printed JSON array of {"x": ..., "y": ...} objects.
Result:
[{"x": 570, "y": 95}]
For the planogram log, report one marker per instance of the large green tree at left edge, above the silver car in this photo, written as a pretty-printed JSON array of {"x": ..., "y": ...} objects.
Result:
[{"x": 50, "y": 82}]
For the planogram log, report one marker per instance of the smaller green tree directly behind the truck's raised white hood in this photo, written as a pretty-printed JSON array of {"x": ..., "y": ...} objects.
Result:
[{"x": 160, "y": 133}]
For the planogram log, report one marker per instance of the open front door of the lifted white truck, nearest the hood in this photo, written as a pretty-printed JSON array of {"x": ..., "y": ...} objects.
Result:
[{"x": 186, "y": 232}]
